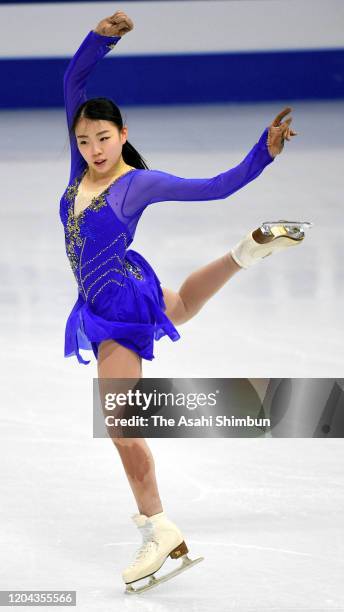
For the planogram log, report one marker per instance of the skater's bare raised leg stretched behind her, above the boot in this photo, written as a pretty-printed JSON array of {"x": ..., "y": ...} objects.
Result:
[{"x": 198, "y": 288}]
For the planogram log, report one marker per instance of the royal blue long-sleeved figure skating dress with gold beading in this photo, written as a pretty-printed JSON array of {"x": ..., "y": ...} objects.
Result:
[{"x": 119, "y": 294}]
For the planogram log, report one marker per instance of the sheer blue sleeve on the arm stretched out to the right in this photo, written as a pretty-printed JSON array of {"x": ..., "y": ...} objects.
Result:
[{"x": 149, "y": 186}]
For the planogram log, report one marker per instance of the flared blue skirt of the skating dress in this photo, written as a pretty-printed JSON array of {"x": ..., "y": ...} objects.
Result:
[{"x": 132, "y": 315}]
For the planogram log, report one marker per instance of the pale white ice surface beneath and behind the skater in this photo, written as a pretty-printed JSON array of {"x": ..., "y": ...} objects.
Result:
[{"x": 267, "y": 515}]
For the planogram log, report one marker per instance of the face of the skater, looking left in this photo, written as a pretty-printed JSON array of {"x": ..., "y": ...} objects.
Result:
[{"x": 100, "y": 141}]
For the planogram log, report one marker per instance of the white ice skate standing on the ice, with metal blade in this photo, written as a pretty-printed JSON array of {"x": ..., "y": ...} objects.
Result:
[{"x": 161, "y": 539}]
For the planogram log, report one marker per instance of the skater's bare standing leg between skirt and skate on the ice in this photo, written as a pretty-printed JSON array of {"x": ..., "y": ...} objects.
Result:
[{"x": 116, "y": 361}]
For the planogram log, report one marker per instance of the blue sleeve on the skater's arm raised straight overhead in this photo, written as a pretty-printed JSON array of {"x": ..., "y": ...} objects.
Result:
[{"x": 91, "y": 50}]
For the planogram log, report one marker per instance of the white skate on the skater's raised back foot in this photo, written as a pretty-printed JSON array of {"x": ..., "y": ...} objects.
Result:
[{"x": 270, "y": 237}]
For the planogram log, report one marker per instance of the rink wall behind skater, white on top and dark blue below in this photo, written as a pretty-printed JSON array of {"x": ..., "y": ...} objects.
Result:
[{"x": 248, "y": 51}]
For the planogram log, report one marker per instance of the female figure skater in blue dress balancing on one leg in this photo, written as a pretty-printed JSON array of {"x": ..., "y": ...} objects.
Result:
[{"x": 121, "y": 308}]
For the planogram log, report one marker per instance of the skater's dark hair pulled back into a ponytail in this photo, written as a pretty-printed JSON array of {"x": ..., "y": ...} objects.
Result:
[{"x": 105, "y": 108}]
